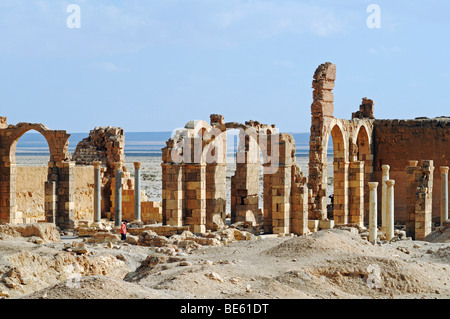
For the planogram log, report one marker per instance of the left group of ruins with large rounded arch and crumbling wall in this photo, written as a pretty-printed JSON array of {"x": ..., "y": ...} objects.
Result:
[{"x": 104, "y": 145}]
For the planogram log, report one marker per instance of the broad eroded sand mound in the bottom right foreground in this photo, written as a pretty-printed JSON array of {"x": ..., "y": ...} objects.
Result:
[{"x": 371, "y": 277}]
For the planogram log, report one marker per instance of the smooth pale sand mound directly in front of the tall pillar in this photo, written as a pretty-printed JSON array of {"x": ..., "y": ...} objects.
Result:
[{"x": 329, "y": 241}]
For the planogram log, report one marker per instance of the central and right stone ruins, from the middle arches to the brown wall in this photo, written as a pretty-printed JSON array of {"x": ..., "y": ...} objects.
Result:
[{"x": 194, "y": 185}]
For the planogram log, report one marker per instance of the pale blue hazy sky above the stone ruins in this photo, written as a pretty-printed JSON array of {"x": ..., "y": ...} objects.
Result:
[{"x": 153, "y": 65}]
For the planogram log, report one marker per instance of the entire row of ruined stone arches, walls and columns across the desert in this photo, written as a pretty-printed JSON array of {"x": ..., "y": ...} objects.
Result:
[{"x": 367, "y": 153}]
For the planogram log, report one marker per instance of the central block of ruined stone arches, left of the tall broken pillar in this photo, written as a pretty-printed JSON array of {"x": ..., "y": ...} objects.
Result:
[{"x": 194, "y": 178}]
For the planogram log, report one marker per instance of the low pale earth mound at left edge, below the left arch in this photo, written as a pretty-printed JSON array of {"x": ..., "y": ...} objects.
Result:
[{"x": 46, "y": 231}]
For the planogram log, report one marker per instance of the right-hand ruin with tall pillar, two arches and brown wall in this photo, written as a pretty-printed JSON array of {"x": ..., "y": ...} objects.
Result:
[{"x": 361, "y": 147}]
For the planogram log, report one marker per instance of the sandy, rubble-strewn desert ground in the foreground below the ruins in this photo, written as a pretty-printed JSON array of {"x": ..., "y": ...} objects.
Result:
[{"x": 327, "y": 264}]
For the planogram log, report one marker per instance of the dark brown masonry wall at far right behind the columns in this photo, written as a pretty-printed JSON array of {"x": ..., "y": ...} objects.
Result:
[{"x": 398, "y": 141}]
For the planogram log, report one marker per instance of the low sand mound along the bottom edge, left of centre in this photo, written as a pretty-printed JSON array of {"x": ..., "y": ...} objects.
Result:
[{"x": 97, "y": 287}]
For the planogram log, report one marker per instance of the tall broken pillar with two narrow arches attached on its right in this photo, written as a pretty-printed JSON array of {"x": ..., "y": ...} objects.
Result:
[{"x": 353, "y": 154}]
